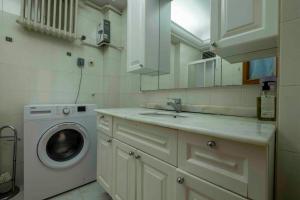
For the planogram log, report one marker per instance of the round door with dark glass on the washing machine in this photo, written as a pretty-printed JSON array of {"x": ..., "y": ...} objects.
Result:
[{"x": 63, "y": 145}]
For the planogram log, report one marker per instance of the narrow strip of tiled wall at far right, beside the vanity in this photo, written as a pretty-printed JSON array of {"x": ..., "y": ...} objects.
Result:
[{"x": 288, "y": 157}]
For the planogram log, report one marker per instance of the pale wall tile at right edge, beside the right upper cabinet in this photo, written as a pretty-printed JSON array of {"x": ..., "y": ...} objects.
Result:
[{"x": 290, "y": 54}]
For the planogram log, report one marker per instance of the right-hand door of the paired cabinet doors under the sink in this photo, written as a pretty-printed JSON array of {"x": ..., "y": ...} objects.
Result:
[{"x": 155, "y": 179}]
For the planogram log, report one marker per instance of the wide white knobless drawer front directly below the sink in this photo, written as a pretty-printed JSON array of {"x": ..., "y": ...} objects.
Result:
[{"x": 156, "y": 141}]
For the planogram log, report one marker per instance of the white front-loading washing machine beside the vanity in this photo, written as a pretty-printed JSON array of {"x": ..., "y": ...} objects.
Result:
[{"x": 59, "y": 149}]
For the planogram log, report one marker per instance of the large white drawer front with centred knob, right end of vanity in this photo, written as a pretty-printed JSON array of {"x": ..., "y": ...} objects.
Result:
[{"x": 238, "y": 167}]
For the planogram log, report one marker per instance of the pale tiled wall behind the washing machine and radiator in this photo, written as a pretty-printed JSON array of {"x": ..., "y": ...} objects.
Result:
[{"x": 35, "y": 69}]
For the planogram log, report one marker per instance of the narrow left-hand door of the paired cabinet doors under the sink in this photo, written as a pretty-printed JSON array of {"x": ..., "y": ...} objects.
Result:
[{"x": 124, "y": 171}]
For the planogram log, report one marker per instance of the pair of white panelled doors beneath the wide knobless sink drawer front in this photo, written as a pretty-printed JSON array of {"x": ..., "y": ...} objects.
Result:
[{"x": 140, "y": 176}]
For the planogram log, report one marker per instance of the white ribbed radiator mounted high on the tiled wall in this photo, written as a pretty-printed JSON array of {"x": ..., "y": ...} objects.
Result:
[{"x": 55, "y": 17}]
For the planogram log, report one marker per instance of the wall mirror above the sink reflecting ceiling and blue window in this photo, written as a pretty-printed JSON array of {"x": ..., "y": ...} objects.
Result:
[{"x": 191, "y": 64}]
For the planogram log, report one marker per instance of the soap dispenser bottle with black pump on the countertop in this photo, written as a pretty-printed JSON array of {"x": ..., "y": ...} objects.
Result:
[{"x": 266, "y": 103}]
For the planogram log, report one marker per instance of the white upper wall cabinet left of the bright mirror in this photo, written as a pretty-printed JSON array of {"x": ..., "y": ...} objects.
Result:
[{"x": 143, "y": 36}]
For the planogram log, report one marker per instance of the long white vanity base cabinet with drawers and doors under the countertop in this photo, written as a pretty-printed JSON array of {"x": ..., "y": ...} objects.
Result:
[{"x": 147, "y": 162}]
